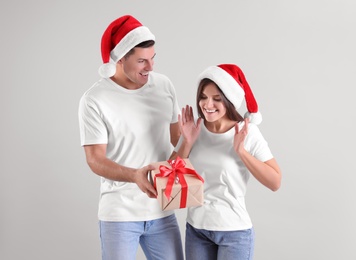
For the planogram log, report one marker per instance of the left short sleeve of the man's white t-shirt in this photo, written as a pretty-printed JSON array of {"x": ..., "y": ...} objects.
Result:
[{"x": 91, "y": 125}]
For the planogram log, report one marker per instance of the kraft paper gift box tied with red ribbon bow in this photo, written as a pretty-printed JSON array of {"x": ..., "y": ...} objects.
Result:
[{"x": 178, "y": 185}]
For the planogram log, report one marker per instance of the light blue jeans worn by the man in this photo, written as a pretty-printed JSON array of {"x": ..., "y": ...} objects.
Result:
[{"x": 159, "y": 239}]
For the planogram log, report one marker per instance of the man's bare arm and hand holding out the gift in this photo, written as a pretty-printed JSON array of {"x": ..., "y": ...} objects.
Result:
[{"x": 102, "y": 166}]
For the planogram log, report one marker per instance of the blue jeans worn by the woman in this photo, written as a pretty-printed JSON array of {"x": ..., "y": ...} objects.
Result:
[{"x": 224, "y": 245}]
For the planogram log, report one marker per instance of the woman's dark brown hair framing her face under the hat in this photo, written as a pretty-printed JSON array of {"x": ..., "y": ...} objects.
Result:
[{"x": 231, "y": 112}]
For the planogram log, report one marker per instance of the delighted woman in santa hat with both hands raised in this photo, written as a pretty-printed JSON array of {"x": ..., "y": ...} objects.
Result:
[{"x": 225, "y": 149}]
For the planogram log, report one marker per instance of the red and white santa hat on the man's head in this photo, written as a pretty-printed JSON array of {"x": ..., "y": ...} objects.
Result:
[{"x": 119, "y": 38}]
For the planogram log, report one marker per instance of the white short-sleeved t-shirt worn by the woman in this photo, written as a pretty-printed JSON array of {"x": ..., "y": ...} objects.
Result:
[{"x": 226, "y": 177}]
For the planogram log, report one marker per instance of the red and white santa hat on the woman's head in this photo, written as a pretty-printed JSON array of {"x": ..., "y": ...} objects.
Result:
[{"x": 232, "y": 82}]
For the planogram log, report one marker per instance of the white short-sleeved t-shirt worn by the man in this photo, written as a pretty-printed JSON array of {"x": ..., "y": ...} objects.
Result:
[{"x": 135, "y": 125}]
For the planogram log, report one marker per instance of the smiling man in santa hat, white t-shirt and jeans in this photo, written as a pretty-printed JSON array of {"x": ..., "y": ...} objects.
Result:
[{"x": 128, "y": 119}]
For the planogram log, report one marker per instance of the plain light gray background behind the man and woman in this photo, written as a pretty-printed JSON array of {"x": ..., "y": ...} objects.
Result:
[{"x": 298, "y": 56}]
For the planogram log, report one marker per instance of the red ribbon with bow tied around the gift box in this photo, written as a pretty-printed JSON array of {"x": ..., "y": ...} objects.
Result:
[{"x": 177, "y": 171}]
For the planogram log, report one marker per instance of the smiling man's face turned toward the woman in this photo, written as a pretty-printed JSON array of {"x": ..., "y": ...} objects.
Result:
[{"x": 137, "y": 66}]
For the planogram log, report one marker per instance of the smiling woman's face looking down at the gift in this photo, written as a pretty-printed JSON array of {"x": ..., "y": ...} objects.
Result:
[{"x": 211, "y": 103}]
